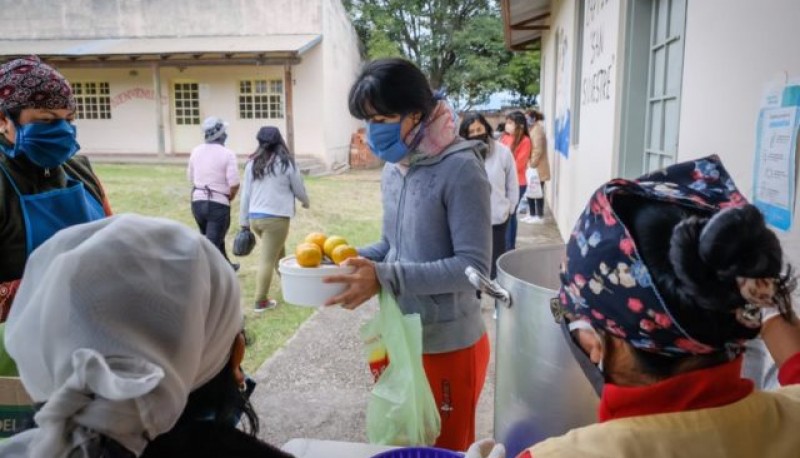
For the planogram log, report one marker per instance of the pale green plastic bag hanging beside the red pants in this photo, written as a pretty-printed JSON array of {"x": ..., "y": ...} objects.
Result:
[{"x": 401, "y": 409}]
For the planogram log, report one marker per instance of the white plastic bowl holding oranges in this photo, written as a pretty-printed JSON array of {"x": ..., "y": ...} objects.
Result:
[{"x": 303, "y": 285}]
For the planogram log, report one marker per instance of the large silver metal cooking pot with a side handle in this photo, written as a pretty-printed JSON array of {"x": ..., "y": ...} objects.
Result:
[{"x": 540, "y": 391}]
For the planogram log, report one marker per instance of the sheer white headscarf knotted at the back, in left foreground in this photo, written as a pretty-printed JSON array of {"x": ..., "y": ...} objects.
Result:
[{"x": 115, "y": 323}]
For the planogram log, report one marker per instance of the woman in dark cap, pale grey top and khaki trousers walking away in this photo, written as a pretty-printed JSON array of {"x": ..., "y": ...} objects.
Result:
[{"x": 272, "y": 182}]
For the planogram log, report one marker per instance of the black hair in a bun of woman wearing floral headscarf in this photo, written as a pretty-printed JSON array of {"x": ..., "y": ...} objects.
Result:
[{"x": 694, "y": 258}]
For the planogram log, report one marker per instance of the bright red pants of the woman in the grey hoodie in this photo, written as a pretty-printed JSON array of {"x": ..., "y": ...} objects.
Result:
[{"x": 456, "y": 380}]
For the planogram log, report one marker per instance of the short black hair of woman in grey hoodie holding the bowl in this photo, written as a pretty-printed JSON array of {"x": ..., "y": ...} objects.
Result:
[{"x": 388, "y": 87}]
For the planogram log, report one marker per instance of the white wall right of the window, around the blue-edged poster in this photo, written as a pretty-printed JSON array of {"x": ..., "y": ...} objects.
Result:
[{"x": 732, "y": 50}]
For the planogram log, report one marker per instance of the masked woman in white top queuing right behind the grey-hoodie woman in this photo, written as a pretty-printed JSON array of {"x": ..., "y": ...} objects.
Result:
[{"x": 502, "y": 173}]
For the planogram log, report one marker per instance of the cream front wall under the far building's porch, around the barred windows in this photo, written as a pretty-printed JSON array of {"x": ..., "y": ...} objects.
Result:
[{"x": 132, "y": 128}]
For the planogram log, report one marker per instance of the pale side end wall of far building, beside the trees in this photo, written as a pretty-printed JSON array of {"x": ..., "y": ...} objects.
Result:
[{"x": 342, "y": 63}]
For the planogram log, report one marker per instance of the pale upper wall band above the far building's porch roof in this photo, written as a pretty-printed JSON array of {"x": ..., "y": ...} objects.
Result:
[{"x": 158, "y": 18}]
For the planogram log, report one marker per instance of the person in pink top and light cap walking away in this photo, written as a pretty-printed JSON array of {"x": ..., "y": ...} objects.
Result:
[{"x": 214, "y": 176}]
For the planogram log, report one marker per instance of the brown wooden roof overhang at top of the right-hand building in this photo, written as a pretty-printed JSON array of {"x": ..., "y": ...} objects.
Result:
[{"x": 523, "y": 23}]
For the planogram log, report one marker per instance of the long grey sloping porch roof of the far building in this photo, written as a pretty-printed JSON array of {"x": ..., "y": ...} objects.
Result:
[{"x": 174, "y": 51}]
